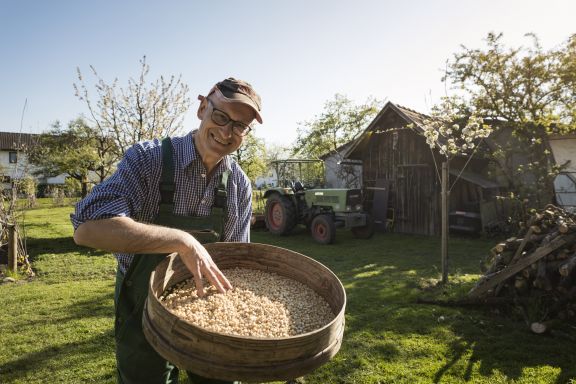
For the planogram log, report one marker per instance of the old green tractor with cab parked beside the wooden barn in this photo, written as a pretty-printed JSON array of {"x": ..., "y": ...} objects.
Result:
[{"x": 322, "y": 210}]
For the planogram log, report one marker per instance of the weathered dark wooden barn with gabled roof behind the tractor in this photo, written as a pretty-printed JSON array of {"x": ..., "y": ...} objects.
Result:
[{"x": 402, "y": 179}]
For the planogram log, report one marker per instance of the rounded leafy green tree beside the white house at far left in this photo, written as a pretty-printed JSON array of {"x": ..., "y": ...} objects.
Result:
[{"x": 77, "y": 150}]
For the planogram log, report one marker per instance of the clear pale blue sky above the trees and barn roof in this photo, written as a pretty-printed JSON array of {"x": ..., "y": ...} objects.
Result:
[{"x": 298, "y": 54}]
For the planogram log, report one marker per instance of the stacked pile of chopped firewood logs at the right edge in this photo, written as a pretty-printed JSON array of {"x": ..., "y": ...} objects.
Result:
[{"x": 536, "y": 270}]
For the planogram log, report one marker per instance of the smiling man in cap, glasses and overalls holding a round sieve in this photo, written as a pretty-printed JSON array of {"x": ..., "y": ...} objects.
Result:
[{"x": 171, "y": 196}]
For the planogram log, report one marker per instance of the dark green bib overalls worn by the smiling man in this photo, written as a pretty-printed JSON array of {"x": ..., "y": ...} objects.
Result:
[{"x": 137, "y": 362}]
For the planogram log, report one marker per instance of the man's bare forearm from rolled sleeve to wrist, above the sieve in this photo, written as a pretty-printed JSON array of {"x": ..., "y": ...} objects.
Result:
[{"x": 124, "y": 235}]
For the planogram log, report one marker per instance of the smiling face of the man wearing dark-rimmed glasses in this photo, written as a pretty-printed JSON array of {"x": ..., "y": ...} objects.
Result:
[{"x": 218, "y": 141}]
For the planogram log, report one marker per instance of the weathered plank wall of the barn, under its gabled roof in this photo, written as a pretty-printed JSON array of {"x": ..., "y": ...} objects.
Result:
[{"x": 402, "y": 157}]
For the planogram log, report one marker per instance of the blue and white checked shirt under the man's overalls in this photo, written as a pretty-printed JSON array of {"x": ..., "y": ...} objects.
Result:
[{"x": 133, "y": 191}]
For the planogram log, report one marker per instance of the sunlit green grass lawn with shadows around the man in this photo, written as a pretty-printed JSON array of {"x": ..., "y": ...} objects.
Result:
[{"x": 58, "y": 327}]
